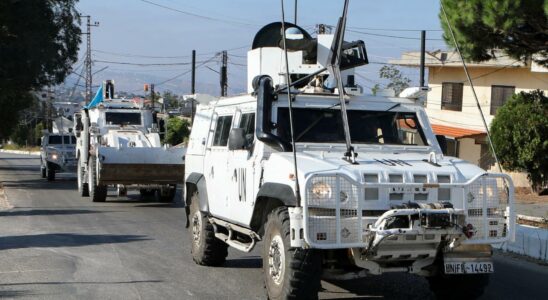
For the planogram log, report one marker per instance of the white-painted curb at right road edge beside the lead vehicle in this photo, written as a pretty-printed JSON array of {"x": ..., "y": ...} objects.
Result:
[{"x": 530, "y": 241}]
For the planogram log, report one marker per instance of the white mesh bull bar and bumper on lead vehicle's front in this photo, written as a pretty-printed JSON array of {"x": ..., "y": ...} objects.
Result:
[{"x": 485, "y": 202}]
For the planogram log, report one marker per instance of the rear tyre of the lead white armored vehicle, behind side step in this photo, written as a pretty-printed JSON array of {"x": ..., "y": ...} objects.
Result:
[{"x": 206, "y": 249}]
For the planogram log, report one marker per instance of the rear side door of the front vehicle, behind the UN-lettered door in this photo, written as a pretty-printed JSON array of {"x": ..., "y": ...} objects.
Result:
[{"x": 216, "y": 164}]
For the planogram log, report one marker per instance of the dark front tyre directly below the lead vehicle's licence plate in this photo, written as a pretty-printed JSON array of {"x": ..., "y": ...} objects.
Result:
[{"x": 468, "y": 286}]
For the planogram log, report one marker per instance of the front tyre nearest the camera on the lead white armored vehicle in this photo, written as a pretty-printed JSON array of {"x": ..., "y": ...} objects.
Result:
[{"x": 299, "y": 270}]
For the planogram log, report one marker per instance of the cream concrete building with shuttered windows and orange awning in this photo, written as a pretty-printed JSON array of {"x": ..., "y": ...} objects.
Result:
[{"x": 451, "y": 106}]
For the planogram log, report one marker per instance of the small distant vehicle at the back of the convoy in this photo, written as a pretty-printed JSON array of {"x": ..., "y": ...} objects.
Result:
[{"x": 57, "y": 154}]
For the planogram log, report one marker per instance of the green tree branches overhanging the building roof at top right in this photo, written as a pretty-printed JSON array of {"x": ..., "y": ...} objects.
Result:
[{"x": 518, "y": 27}]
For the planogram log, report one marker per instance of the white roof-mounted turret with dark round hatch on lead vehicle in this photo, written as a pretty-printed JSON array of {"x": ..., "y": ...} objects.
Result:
[{"x": 306, "y": 55}]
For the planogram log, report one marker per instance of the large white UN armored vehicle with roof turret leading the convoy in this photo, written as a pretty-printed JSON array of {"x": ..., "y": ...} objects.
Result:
[{"x": 364, "y": 189}]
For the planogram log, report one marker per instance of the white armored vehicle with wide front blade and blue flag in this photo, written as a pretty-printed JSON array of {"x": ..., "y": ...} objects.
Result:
[{"x": 118, "y": 144}]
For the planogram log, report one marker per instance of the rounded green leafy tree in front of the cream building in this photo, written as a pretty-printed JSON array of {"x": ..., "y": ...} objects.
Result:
[{"x": 520, "y": 136}]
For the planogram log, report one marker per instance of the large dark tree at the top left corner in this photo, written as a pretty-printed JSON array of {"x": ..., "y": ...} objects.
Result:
[{"x": 38, "y": 44}]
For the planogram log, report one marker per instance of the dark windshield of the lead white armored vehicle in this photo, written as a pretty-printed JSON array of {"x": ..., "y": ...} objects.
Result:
[{"x": 366, "y": 127}]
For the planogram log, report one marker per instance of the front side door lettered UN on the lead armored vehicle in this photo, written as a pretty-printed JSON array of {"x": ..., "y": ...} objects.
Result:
[{"x": 241, "y": 167}]
